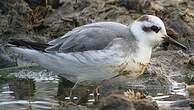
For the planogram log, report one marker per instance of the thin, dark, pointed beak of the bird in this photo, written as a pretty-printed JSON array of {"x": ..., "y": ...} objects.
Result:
[{"x": 174, "y": 42}]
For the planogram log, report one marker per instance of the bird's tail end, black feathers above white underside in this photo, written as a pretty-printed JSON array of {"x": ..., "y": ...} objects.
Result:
[{"x": 31, "y": 50}]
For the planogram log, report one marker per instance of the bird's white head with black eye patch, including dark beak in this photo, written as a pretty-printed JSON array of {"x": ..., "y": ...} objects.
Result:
[{"x": 150, "y": 30}]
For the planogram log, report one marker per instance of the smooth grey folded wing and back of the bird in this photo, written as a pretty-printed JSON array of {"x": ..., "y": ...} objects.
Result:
[{"x": 94, "y": 36}]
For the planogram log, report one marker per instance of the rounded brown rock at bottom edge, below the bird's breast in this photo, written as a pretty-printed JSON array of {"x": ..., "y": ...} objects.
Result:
[{"x": 123, "y": 102}]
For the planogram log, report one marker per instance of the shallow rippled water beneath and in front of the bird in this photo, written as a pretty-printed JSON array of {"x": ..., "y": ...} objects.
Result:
[{"x": 43, "y": 90}]
